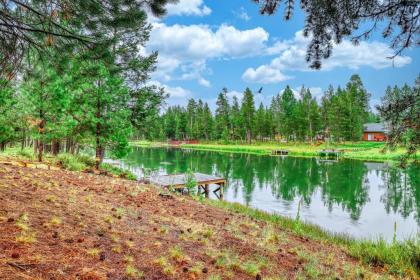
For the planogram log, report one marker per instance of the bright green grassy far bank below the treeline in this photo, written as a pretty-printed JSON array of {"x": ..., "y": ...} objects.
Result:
[{"x": 373, "y": 151}]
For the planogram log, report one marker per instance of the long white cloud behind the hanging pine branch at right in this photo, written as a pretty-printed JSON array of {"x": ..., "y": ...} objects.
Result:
[{"x": 291, "y": 57}]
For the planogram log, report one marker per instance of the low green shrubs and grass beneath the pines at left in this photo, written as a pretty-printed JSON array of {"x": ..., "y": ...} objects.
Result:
[{"x": 72, "y": 162}]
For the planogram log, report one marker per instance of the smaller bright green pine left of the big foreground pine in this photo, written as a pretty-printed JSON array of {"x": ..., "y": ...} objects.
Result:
[{"x": 47, "y": 98}]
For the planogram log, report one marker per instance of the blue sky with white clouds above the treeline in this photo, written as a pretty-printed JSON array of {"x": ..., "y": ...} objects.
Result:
[{"x": 205, "y": 45}]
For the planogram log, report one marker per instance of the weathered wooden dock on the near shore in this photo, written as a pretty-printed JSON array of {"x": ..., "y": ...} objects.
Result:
[{"x": 178, "y": 181}]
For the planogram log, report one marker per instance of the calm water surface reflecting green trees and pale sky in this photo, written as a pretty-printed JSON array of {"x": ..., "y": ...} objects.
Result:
[{"x": 363, "y": 199}]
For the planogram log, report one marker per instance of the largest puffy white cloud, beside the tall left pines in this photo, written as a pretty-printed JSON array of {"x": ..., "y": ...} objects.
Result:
[{"x": 185, "y": 49}]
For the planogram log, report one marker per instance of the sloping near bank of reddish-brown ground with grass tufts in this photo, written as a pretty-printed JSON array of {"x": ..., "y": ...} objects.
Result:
[{"x": 97, "y": 227}]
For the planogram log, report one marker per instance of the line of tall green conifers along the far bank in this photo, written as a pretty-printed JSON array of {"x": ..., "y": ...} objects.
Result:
[{"x": 339, "y": 116}]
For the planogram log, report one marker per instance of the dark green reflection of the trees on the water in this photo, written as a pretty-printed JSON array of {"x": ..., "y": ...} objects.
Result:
[{"x": 344, "y": 183}]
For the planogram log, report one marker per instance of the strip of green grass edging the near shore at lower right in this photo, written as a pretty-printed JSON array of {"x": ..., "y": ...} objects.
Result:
[{"x": 399, "y": 257}]
